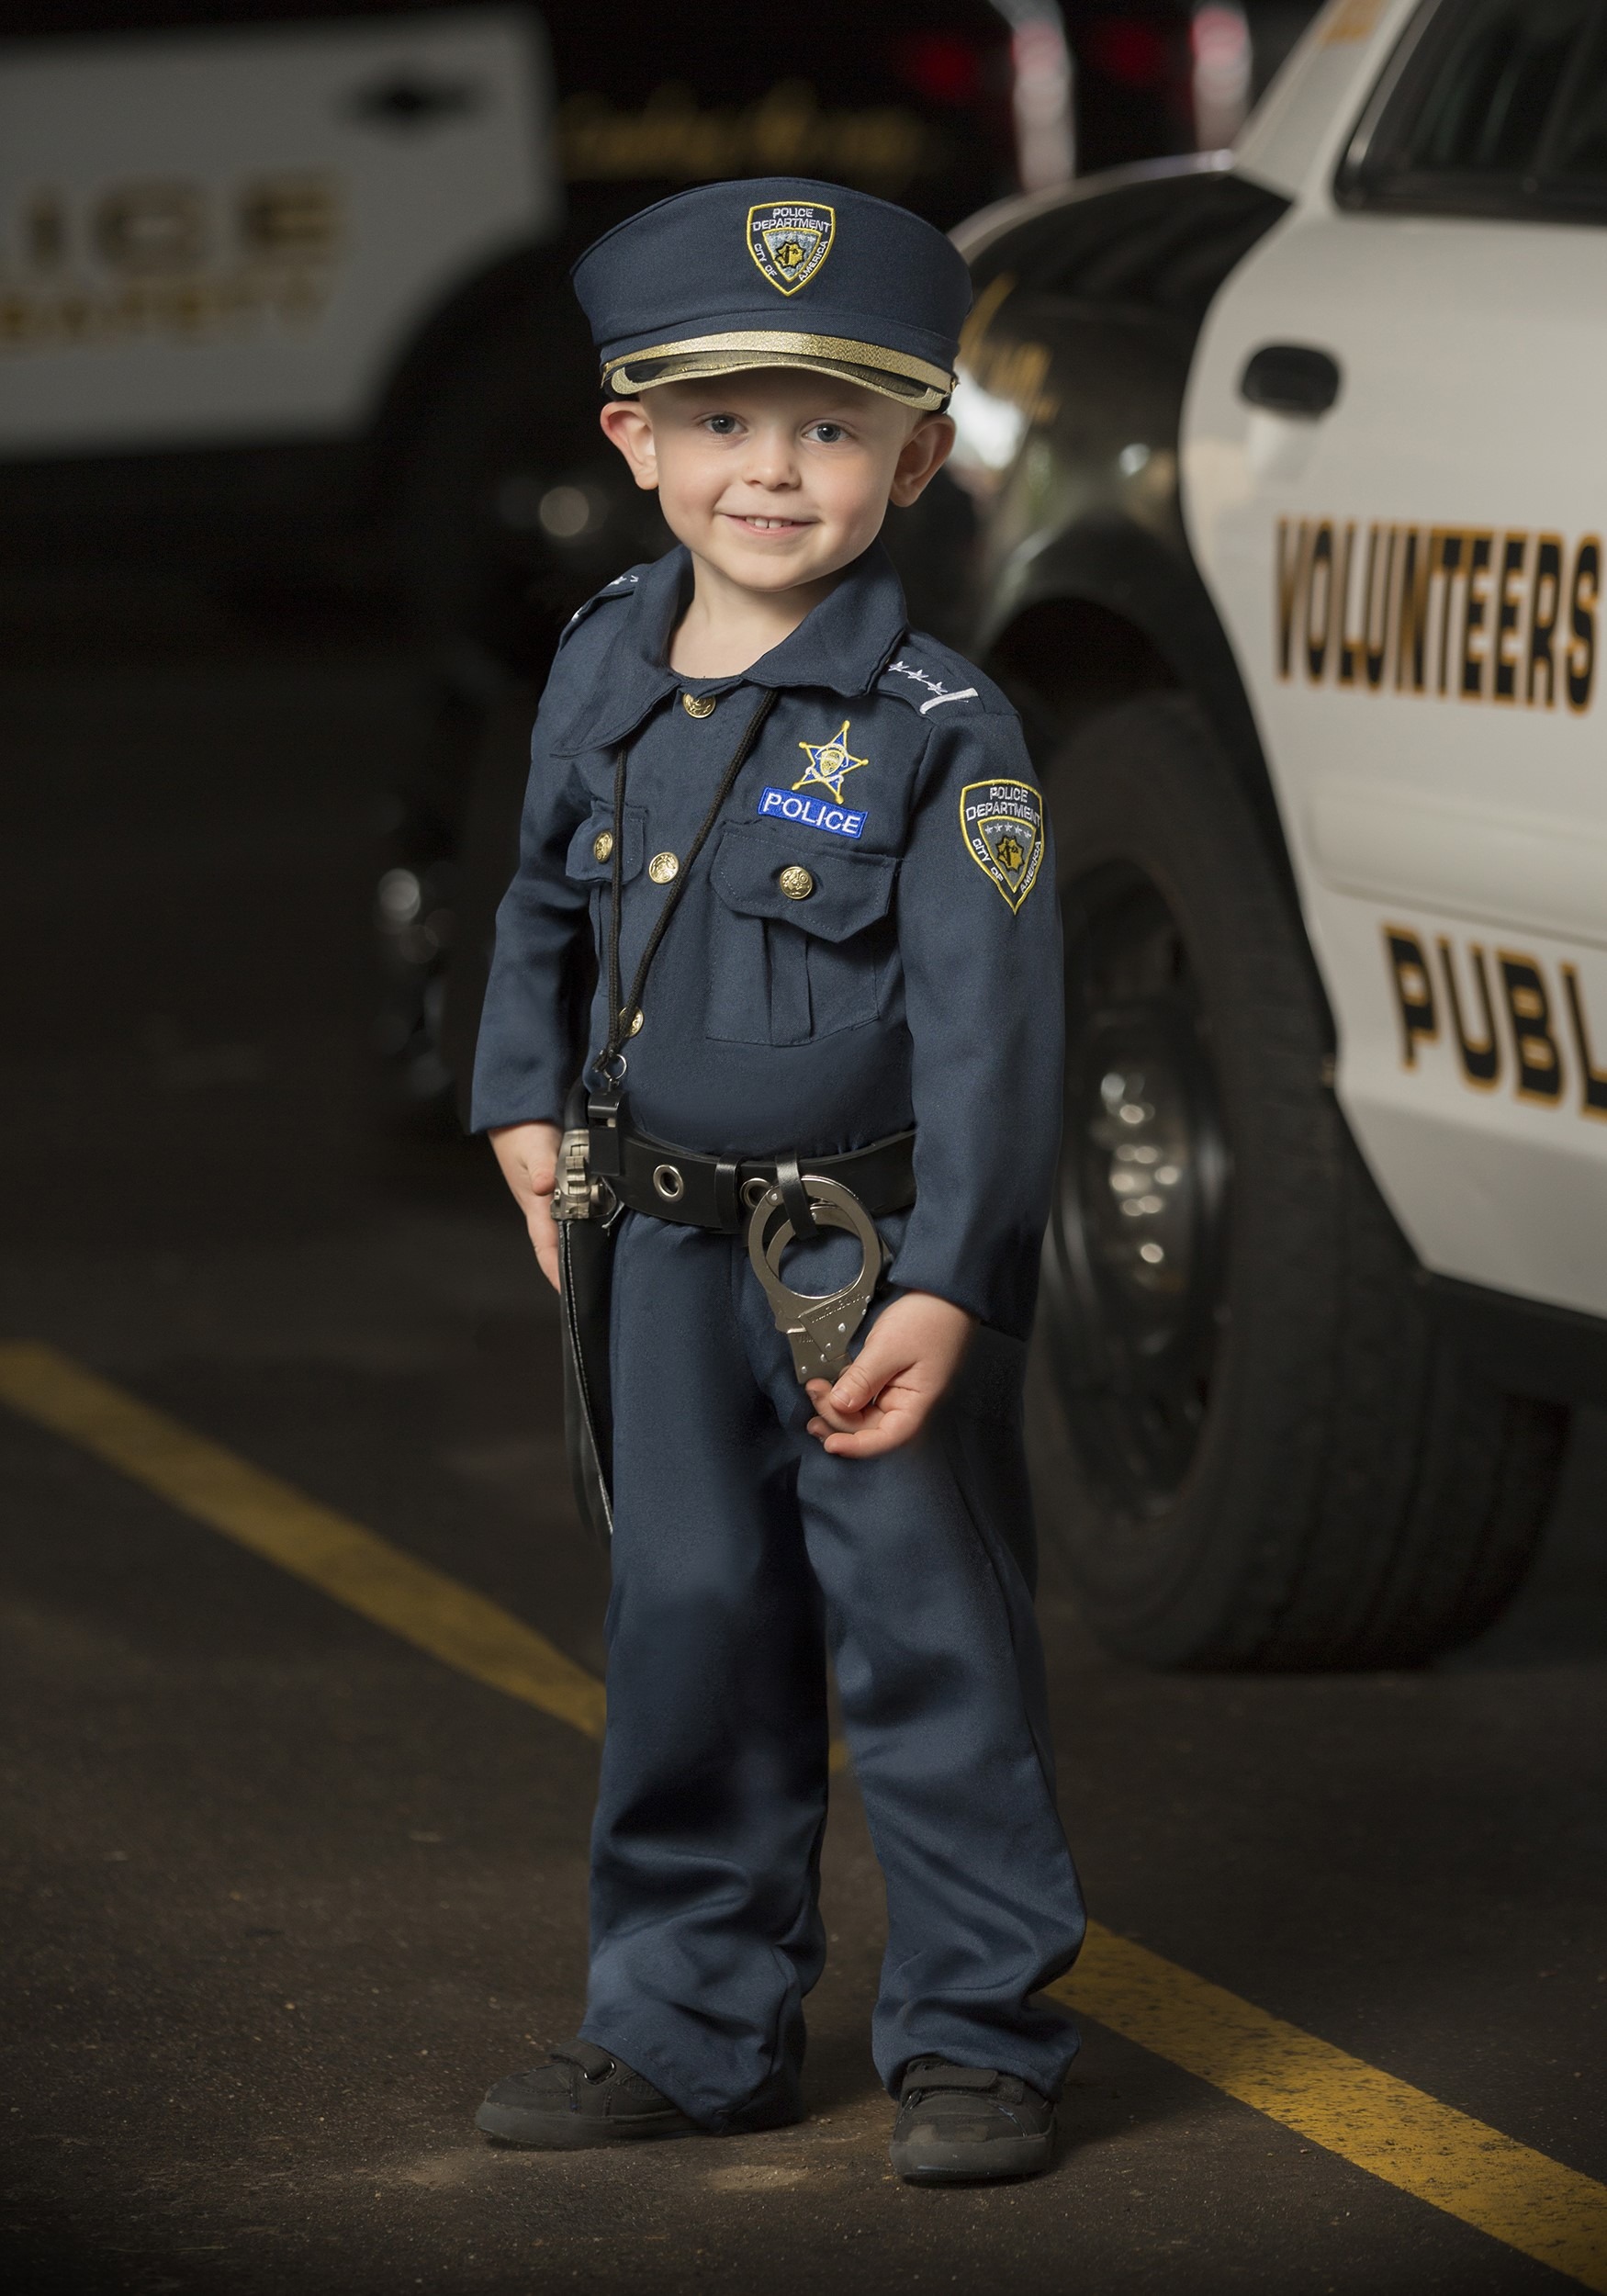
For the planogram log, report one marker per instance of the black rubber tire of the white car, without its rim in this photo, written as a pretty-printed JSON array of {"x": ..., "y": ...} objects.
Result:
[{"x": 1358, "y": 1498}]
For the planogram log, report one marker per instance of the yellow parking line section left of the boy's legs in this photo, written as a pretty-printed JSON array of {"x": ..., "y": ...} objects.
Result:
[{"x": 313, "y": 1542}]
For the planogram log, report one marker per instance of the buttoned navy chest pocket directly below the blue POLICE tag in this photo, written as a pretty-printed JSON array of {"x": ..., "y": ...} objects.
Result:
[{"x": 795, "y": 959}]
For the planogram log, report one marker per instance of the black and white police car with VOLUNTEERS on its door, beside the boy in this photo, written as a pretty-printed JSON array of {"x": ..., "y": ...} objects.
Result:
[{"x": 1296, "y": 511}]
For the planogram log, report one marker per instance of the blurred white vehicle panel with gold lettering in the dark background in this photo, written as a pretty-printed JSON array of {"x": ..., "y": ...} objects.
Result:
[{"x": 231, "y": 235}]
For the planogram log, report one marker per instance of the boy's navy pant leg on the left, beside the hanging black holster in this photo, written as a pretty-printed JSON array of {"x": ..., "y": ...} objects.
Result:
[{"x": 713, "y": 1799}]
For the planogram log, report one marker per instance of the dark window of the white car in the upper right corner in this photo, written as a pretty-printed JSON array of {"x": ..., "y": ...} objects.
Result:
[{"x": 1500, "y": 109}]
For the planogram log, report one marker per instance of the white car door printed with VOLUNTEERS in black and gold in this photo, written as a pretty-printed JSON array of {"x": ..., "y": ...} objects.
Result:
[{"x": 1397, "y": 490}]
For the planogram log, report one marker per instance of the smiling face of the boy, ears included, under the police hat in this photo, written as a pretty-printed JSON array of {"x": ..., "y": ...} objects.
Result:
[{"x": 777, "y": 476}]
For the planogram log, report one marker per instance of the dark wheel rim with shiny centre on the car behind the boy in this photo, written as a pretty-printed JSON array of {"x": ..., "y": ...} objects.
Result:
[{"x": 1138, "y": 1239}]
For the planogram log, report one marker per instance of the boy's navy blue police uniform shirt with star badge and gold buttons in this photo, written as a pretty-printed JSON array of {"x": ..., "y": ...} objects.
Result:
[{"x": 869, "y": 940}]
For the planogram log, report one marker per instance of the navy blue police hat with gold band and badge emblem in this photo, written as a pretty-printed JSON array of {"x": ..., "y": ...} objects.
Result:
[{"x": 777, "y": 274}]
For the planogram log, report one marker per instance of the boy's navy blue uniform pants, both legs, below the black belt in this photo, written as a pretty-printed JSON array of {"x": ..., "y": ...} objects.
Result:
[{"x": 743, "y": 1553}]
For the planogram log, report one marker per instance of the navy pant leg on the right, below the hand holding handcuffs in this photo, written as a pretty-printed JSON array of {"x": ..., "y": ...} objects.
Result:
[{"x": 940, "y": 1670}]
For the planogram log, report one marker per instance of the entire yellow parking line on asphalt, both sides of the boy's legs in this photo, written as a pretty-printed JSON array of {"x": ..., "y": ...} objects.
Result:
[{"x": 1376, "y": 2123}]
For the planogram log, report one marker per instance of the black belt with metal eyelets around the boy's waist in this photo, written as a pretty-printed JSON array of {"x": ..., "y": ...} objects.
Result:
[{"x": 720, "y": 1193}]
